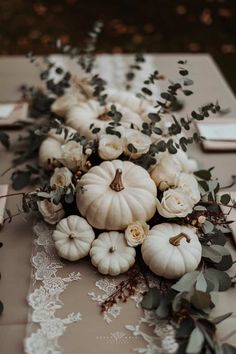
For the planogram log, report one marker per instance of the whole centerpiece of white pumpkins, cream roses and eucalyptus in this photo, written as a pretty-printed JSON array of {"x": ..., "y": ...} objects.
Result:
[{"x": 119, "y": 187}]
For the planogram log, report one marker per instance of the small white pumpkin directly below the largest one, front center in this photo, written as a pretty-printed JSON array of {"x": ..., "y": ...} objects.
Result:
[{"x": 111, "y": 254}]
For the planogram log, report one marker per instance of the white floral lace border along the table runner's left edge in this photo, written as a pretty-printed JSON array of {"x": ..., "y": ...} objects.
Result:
[{"x": 45, "y": 326}]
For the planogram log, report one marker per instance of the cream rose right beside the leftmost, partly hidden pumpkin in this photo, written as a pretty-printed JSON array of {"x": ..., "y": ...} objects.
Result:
[{"x": 72, "y": 155}]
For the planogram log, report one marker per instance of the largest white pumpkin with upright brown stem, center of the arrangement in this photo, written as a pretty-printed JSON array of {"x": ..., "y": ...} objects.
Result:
[{"x": 115, "y": 193}]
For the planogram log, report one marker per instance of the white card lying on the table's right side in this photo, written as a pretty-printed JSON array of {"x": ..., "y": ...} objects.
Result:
[{"x": 218, "y": 131}]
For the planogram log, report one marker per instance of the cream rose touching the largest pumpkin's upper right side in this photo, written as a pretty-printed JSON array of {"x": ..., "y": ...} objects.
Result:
[{"x": 164, "y": 174}]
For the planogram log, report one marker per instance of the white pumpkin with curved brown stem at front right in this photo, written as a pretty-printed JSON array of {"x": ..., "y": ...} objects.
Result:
[{"x": 171, "y": 250}]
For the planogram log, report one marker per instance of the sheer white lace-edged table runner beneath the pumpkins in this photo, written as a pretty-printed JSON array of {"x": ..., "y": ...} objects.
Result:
[{"x": 48, "y": 284}]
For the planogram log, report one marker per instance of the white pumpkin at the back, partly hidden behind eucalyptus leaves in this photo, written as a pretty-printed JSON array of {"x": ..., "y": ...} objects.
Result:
[{"x": 81, "y": 116}]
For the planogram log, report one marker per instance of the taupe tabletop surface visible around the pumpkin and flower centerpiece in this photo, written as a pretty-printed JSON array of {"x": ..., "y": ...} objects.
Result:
[{"x": 92, "y": 334}]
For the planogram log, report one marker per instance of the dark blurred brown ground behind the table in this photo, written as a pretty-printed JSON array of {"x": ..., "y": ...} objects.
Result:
[{"x": 170, "y": 26}]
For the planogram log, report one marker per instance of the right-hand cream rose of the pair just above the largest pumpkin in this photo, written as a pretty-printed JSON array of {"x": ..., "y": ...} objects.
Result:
[{"x": 140, "y": 141}]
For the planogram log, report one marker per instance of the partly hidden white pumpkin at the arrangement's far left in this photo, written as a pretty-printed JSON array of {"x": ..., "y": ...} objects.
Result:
[{"x": 50, "y": 150}]
